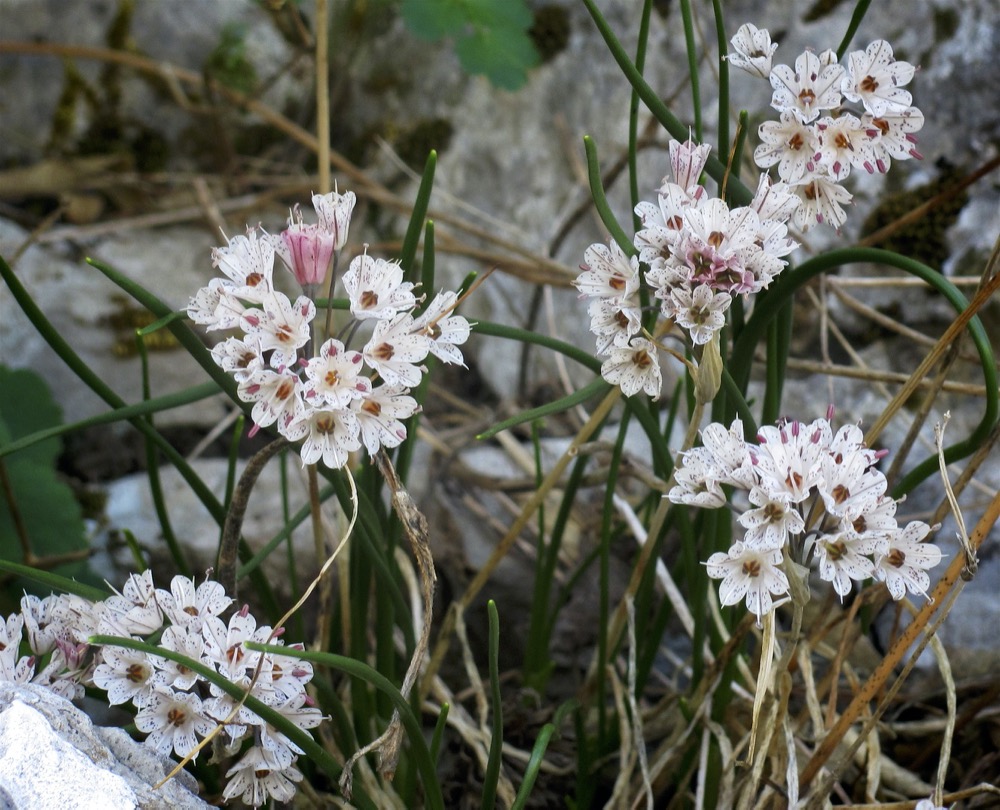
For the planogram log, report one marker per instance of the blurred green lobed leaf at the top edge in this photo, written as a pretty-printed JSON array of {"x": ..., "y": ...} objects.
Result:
[{"x": 491, "y": 36}]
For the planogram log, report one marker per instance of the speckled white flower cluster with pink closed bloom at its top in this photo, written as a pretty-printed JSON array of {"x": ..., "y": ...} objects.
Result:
[{"x": 336, "y": 398}]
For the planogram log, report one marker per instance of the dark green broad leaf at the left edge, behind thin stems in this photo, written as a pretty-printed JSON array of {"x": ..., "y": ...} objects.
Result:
[{"x": 50, "y": 516}]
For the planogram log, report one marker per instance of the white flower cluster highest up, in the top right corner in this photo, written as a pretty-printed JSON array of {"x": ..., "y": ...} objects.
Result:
[{"x": 816, "y": 141}]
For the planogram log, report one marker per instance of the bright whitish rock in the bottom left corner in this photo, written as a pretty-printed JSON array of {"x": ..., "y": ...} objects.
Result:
[{"x": 52, "y": 755}]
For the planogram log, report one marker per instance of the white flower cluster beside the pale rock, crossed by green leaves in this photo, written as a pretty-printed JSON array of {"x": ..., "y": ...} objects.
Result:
[{"x": 176, "y": 706}]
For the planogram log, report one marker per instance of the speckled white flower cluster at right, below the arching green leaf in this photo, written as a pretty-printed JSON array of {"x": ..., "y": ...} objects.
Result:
[{"x": 812, "y": 494}]
